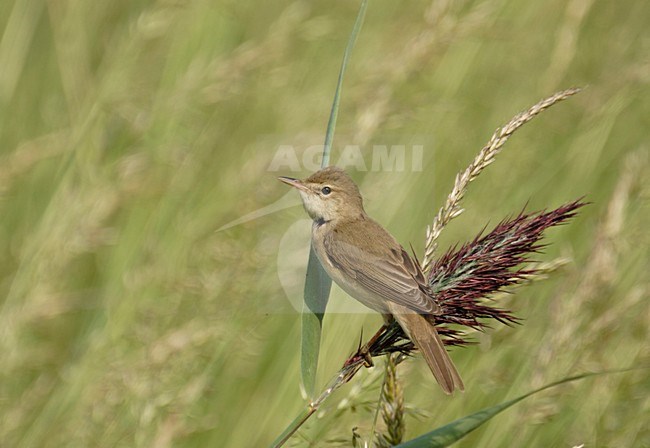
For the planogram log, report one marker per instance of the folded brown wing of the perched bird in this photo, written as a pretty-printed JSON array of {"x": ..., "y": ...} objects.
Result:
[{"x": 389, "y": 272}]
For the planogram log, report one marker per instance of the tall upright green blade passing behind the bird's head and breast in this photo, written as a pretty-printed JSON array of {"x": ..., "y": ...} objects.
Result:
[{"x": 317, "y": 283}]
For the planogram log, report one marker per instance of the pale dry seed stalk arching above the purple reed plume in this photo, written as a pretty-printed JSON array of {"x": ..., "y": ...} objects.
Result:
[{"x": 485, "y": 157}]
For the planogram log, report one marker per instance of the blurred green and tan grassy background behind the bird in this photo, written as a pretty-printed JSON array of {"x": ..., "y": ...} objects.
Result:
[{"x": 131, "y": 131}]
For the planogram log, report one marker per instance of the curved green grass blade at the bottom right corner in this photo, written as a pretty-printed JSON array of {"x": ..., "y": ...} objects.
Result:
[{"x": 456, "y": 430}]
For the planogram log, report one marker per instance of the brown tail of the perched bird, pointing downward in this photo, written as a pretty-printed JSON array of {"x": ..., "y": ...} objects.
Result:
[{"x": 427, "y": 340}]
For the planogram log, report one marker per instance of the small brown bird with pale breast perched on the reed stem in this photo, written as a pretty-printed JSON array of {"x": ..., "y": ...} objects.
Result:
[{"x": 371, "y": 266}]
